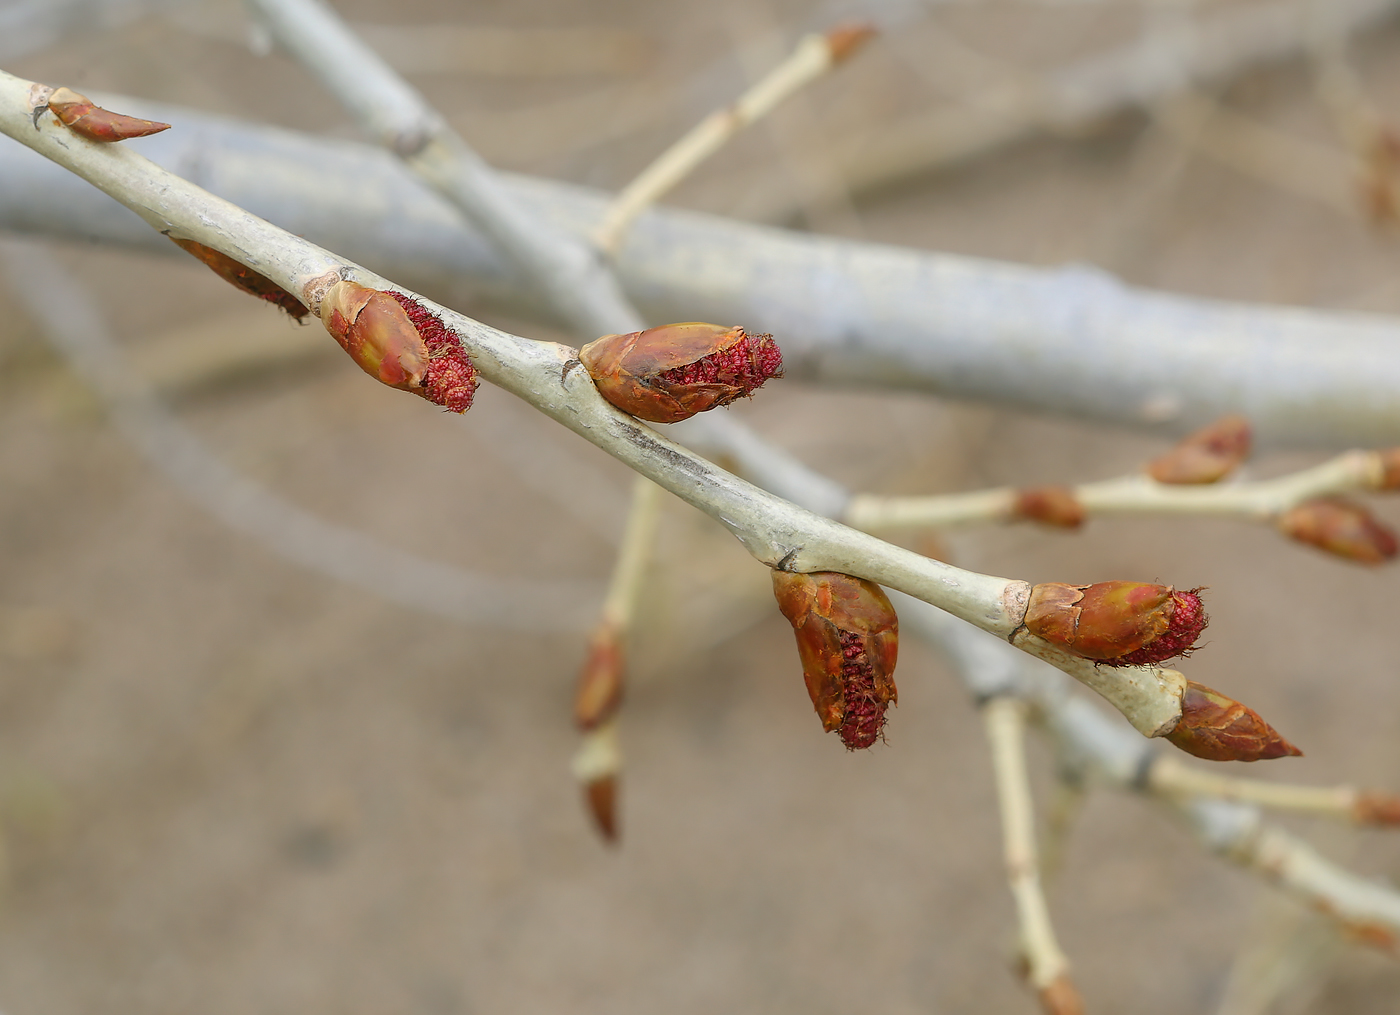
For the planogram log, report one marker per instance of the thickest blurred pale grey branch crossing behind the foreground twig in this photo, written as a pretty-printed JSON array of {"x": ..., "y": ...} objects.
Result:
[{"x": 1072, "y": 341}]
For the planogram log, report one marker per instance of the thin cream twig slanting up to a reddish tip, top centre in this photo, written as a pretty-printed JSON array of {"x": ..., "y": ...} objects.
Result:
[{"x": 814, "y": 57}]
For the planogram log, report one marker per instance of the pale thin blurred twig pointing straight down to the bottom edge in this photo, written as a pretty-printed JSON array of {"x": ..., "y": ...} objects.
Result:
[{"x": 1049, "y": 972}]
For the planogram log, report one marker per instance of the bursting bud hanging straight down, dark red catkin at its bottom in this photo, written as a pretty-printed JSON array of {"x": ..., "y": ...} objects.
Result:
[{"x": 848, "y": 638}]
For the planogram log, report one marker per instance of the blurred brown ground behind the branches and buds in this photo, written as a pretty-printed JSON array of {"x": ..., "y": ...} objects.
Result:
[{"x": 229, "y": 785}]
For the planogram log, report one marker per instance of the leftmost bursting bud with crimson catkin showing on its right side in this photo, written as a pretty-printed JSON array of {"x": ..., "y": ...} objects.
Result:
[{"x": 400, "y": 342}]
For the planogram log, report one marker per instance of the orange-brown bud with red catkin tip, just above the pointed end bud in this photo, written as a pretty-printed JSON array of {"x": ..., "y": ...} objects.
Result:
[{"x": 1119, "y": 624}]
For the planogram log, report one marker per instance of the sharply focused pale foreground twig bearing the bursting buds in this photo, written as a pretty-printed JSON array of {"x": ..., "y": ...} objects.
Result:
[{"x": 775, "y": 531}]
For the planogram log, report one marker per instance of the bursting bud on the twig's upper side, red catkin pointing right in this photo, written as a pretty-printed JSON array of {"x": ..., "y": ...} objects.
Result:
[{"x": 671, "y": 373}]
